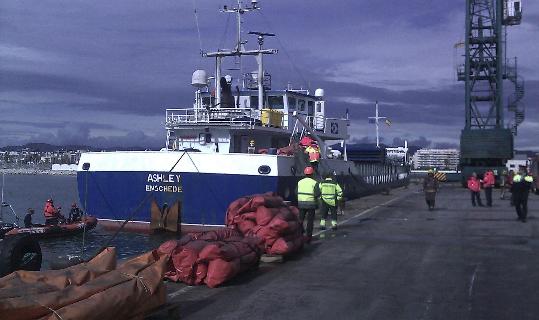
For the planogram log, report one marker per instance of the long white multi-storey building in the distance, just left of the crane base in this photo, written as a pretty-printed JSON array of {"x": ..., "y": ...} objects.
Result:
[{"x": 442, "y": 159}]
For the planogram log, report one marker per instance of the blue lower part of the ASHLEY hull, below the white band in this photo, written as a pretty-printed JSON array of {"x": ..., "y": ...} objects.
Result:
[{"x": 203, "y": 197}]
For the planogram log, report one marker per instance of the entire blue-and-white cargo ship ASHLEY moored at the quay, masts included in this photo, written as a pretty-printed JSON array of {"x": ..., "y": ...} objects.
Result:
[{"x": 235, "y": 140}]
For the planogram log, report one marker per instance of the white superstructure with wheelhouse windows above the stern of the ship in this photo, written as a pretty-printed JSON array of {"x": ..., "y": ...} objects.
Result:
[{"x": 230, "y": 128}]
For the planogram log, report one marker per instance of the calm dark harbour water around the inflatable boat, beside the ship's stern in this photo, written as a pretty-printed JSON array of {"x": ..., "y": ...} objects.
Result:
[{"x": 31, "y": 191}]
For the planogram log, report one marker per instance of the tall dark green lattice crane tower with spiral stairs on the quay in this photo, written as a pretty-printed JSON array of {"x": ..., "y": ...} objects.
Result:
[{"x": 486, "y": 141}]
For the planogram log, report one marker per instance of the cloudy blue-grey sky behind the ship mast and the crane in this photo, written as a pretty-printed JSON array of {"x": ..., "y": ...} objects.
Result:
[{"x": 103, "y": 72}]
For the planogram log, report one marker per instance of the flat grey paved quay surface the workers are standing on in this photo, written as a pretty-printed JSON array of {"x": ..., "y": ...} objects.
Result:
[{"x": 391, "y": 259}]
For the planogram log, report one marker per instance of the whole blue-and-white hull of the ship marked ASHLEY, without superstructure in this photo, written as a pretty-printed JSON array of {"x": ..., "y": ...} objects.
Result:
[{"x": 119, "y": 186}]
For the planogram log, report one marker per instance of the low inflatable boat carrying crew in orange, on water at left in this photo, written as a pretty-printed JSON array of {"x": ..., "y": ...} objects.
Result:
[{"x": 59, "y": 230}]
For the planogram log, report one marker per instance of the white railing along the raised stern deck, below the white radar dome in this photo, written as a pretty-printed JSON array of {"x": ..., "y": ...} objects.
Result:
[{"x": 228, "y": 116}]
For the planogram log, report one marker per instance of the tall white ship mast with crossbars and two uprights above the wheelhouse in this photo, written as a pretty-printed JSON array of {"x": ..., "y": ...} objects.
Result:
[{"x": 239, "y": 51}]
